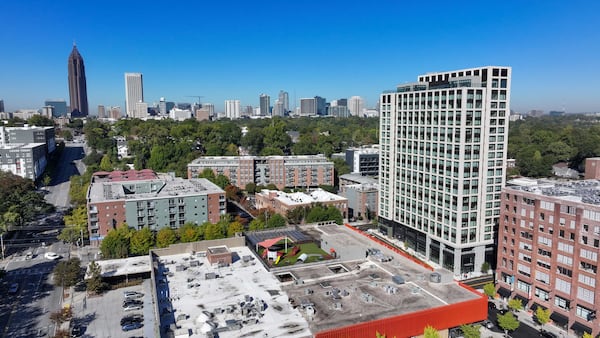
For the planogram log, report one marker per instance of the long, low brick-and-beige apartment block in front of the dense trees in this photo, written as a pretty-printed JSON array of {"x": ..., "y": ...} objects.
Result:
[{"x": 283, "y": 171}]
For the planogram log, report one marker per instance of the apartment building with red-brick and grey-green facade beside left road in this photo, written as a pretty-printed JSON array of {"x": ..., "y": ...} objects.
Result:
[{"x": 146, "y": 199}]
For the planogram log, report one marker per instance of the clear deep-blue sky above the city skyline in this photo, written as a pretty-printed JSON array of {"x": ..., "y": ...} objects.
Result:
[{"x": 240, "y": 49}]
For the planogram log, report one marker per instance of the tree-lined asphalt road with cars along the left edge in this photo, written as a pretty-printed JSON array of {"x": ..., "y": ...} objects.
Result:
[{"x": 27, "y": 313}]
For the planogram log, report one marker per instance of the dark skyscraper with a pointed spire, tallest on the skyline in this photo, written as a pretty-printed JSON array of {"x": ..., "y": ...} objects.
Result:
[{"x": 77, "y": 84}]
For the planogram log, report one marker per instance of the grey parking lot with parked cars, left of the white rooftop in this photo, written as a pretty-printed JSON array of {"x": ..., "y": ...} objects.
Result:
[{"x": 101, "y": 315}]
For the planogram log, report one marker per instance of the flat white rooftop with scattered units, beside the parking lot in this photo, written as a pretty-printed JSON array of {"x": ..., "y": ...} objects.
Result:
[{"x": 240, "y": 300}]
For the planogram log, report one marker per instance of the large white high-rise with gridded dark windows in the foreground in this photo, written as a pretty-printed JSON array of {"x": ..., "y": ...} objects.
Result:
[{"x": 443, "y": 151}]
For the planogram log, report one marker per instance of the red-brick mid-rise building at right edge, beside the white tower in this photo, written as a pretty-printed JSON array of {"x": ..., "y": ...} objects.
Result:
[{"x": 548, "y": 244}]
